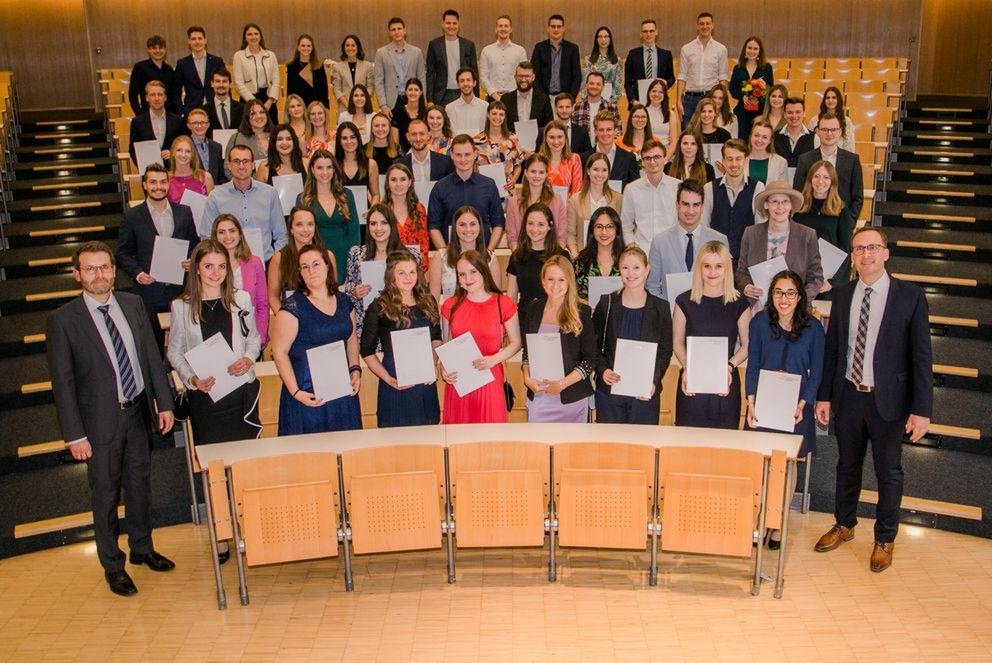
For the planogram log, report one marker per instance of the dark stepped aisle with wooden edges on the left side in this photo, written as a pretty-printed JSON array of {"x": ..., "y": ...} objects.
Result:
[{"x": 64, "y": 190}]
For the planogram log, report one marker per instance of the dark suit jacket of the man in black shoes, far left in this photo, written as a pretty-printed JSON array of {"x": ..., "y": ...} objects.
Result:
[{"x": 83, "y": 378}]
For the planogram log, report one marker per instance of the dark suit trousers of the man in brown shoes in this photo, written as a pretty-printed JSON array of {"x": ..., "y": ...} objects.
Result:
[{"x": 857, "y": 423}]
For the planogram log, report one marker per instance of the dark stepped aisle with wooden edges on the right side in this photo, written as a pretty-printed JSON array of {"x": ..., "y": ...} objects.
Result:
[{"x": 935, "y": 204}]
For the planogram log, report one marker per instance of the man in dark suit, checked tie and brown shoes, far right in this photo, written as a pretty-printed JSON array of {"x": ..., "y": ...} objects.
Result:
[{"x": 878, "y": 382}]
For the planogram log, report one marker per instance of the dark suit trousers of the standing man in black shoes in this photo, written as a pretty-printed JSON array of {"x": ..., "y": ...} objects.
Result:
[{"x": 123, "y": 462}]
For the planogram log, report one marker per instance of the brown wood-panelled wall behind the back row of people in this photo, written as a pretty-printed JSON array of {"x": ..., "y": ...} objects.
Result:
[{"x": 55, "y": 47}]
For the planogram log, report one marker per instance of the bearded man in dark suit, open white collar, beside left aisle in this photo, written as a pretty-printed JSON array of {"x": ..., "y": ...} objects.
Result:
[{"x": 136, "y": 242}]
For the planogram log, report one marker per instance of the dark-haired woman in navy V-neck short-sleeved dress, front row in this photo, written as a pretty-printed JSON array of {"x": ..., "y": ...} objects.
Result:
[{"x": 314, "y": 315}]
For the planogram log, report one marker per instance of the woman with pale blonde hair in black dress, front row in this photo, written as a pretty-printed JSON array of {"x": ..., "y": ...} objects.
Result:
[{"x": 713, "y": 307}]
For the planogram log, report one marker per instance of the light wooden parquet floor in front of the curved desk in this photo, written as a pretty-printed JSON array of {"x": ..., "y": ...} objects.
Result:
[{"x": 935, "y": 603}]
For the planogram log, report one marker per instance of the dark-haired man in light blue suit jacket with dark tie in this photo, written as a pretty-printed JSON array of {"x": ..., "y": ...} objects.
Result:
[{"x": 675, "y": 250}]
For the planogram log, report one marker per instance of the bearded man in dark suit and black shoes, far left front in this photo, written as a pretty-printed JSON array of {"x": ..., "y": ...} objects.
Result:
[{"x": 109, "y": 384}]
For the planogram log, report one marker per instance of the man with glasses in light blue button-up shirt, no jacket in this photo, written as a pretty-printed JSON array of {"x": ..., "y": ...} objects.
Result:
[{"x": 255, "y": 204}]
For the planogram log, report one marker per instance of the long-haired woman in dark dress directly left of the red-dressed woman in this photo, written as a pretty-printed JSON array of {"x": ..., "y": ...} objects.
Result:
[{"x": 404, "y": 303}]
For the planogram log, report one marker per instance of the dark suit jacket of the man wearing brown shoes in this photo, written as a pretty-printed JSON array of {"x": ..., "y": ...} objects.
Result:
[{"x": 903, "y": 359}]
